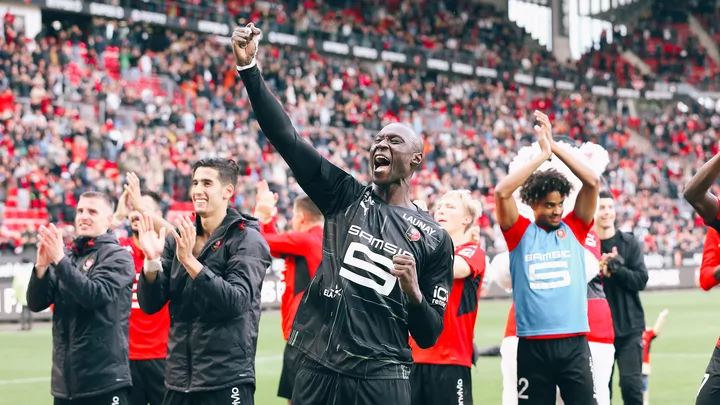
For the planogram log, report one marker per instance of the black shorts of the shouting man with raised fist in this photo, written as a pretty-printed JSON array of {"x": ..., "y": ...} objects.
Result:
[{"x": 316, "y": 385}]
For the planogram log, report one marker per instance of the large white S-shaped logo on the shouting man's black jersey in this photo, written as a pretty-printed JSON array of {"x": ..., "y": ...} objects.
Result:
[{"x": 372, "y": 267}]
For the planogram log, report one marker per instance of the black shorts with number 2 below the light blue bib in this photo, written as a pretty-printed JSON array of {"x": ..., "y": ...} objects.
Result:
[{"x": 543, "y": 364}]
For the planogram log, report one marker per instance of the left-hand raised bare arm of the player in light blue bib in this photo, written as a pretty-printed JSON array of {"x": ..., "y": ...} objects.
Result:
[{"x": 505, "y": 206}]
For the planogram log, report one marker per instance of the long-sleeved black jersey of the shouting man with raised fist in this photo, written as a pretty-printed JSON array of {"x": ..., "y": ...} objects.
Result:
[{"x": 354, "y": 318}]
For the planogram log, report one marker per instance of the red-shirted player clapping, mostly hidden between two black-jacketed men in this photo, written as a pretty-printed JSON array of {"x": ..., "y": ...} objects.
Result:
[{"x": 148, "y": 333}]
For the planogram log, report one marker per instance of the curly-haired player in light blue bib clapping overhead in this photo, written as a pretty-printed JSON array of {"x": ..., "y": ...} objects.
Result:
[{"x": 547, "y": 264}]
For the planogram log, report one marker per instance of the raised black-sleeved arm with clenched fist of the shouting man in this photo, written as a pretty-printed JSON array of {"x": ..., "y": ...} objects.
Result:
[{"x": 328, "y": 186}]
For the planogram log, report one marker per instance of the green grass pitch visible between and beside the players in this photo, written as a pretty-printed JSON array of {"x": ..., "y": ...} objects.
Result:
[{"x": 680, "y": 354}]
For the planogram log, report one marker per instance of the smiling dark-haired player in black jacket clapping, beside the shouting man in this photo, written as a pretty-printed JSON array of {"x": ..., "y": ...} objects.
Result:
[{"x": 211, "y": 272}]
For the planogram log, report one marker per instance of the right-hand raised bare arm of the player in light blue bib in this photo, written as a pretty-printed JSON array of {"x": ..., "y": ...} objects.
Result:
[{"x": 586, "y": 203}]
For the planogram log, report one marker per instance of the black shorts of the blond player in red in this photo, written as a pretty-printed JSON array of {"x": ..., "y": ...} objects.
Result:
[{"x": 440, "y": 384}]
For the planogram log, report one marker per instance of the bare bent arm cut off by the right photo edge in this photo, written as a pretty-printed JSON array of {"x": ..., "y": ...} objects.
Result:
[{"x": 697, "y": 192}]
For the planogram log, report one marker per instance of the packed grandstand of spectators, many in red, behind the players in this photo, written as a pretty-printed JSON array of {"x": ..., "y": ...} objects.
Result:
[{"x": 89, "y": 98}]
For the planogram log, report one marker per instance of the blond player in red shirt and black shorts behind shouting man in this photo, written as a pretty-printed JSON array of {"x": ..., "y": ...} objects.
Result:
[{"x": 441, "y": 374}]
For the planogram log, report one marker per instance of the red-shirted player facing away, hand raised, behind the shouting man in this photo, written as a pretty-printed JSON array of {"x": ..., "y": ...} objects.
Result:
[{"x": 302, "y": 249}]
